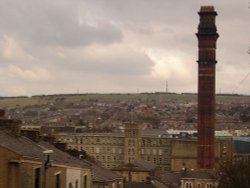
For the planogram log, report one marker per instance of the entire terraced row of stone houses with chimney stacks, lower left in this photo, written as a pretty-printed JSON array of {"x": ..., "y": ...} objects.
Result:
[{"x": 28, "y": 164}]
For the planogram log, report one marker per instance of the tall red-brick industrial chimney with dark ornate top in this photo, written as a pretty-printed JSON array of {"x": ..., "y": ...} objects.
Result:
[{"x": 207, "y": 36}]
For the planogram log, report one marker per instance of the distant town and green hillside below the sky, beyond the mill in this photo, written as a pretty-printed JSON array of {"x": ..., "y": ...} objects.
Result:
[{"x": 107, "y": 112}]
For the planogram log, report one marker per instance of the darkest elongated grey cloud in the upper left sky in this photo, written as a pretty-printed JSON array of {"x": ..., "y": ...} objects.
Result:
[{"x": 76, "y": 35}]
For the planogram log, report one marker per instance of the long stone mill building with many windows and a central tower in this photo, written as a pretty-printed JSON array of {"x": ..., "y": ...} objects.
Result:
[{"x": 113, "y": 150}]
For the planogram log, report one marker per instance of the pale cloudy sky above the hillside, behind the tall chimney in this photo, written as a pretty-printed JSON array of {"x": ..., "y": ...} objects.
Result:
[{"x": 69, "y": 46}]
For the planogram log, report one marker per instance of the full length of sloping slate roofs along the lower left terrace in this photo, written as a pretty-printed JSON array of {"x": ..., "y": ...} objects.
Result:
[{"x": 29, "y": 150}]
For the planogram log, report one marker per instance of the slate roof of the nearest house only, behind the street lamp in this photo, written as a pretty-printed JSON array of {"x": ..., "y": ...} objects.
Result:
[{"x": 30, "y": 150}]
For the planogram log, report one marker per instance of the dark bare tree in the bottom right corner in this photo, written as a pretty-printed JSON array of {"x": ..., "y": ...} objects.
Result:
[{"x": 235, "y": 174}]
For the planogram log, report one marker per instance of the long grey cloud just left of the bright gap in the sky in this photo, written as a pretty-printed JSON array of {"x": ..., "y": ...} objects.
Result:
[{"x": 115, "y": 61}]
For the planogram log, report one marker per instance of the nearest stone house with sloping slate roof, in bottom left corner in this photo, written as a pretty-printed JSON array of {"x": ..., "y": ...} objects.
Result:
[{"x": 22, "y": 164}]
